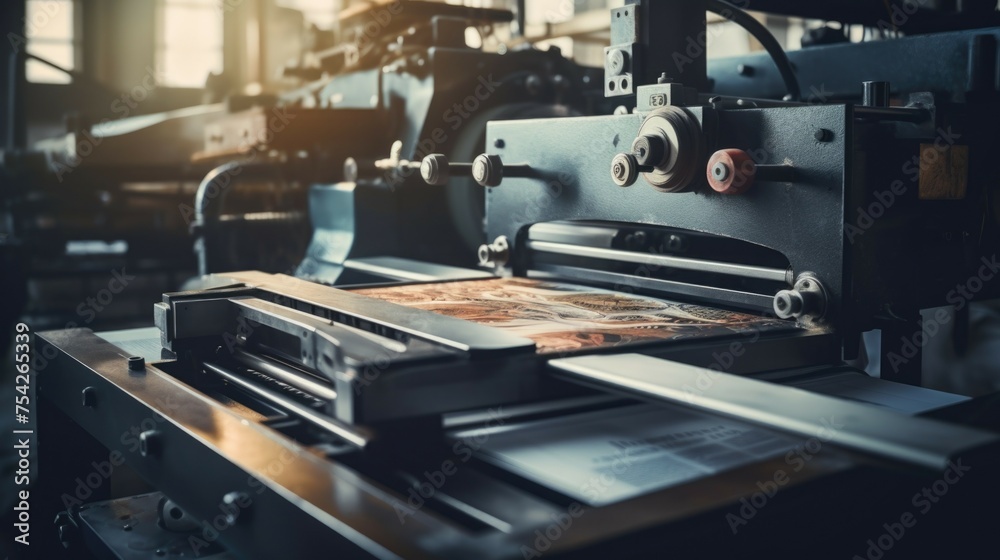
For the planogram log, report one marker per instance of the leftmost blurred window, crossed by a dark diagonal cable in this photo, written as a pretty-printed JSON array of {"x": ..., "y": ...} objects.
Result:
[{"x": 50, "y": 31}]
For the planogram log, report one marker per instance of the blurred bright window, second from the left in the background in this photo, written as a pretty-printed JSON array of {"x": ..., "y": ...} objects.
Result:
[{"x": 189, "y": 44}]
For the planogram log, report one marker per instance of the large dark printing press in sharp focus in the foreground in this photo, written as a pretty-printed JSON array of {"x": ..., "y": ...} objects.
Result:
[{"x": 660, "y": 353}]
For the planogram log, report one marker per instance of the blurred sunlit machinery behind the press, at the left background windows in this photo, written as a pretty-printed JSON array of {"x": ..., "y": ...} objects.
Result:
[{"x": 403, "y": 75}]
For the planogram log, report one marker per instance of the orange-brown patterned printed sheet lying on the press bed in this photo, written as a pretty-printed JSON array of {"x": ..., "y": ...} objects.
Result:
[{"x": 564, "y": 317}]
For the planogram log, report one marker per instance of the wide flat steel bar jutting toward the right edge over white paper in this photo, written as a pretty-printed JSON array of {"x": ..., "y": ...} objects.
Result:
[{"x": 919, "y": 441}]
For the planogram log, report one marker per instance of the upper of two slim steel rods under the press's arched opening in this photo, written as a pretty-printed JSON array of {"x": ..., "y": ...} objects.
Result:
[{"x": 681, "y": 263}]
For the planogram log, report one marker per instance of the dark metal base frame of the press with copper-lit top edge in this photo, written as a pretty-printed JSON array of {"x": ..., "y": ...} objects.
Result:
[{"x": 301, "y": 501}]
